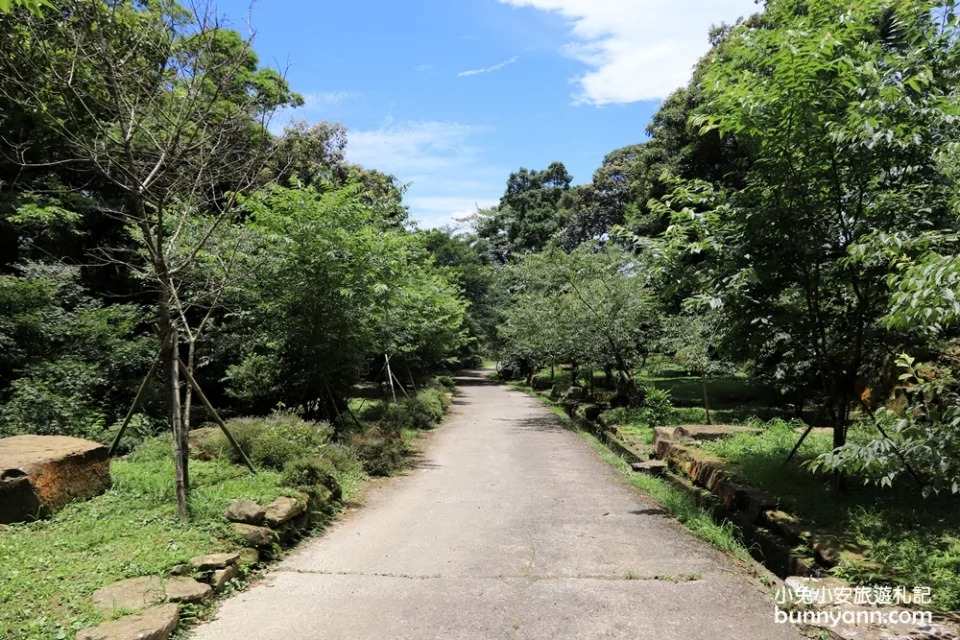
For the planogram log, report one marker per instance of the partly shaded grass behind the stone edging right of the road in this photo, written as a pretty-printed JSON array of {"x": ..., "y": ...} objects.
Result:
[{"x": 891, "y": 535}]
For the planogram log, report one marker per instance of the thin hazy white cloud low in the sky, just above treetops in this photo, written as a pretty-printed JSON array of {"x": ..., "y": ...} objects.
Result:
[{"x": 445, "y": 169}]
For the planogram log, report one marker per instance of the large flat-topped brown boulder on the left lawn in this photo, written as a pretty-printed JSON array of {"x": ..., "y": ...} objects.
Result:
[{"x": 41, "y": 474}]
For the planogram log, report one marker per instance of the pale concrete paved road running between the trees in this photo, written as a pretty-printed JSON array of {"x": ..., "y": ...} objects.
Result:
[{"x": 513, "y": 528}]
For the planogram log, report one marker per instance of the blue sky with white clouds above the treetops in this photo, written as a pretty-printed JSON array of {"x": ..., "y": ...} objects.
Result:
[{"x": 452, "y": 95}]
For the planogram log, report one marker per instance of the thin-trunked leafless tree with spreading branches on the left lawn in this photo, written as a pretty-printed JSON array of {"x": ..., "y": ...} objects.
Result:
[{"x": 168, "y": 111}]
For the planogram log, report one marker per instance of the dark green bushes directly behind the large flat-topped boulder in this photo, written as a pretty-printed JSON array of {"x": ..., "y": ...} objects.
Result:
[{"x": 69, "y": 363}]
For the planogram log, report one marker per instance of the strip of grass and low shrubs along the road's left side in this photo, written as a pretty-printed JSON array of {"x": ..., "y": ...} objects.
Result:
[{"x": 51, "y": 567}]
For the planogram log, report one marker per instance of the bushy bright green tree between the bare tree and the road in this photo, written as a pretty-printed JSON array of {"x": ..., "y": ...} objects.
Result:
[{"x": 337, "y": 284}]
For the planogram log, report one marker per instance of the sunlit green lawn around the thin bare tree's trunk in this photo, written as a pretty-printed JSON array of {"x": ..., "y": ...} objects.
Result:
[{"x": 49, "y": 569}]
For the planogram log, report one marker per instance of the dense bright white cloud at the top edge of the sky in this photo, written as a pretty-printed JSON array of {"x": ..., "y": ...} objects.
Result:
[{"x": 637, "y": 49}]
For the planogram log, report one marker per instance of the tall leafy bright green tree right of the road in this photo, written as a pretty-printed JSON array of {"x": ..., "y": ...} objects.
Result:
[{"x": 844, "y": 112}]
